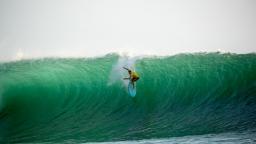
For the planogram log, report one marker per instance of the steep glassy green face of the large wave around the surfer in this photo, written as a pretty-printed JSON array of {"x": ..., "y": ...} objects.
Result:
[{"x": 56, "y": 100}]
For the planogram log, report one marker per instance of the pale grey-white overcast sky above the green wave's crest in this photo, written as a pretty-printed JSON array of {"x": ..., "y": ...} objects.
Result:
[{"x": 43, "y": 28}]
